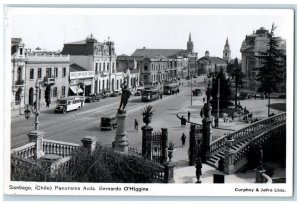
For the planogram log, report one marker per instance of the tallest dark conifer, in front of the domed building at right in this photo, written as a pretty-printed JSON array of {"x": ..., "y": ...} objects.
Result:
[{"x": 271, "y": 72}]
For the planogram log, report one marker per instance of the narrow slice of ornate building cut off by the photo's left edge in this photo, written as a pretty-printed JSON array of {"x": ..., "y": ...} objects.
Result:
[{"x": 18, "y": 73}]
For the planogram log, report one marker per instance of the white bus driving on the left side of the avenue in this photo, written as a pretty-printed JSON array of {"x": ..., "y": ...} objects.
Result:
[{"x": 68, "y": 104}]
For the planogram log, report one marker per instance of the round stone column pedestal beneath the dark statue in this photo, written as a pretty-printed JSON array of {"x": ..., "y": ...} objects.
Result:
[{"x": 121, "y": 143}]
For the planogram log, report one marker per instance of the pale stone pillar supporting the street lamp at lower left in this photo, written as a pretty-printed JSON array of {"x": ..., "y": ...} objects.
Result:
[{"x": 37, "y": 138}]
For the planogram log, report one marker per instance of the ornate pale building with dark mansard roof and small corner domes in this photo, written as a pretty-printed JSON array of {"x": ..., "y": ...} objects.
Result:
[{"x": 95, "y": 56}]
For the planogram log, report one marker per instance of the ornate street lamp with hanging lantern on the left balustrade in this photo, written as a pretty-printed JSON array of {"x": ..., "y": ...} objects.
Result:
[{"x": 36, "y": 109}]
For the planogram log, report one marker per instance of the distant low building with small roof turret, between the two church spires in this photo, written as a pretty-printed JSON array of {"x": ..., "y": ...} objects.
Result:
[{"x": 208, "y": 64}]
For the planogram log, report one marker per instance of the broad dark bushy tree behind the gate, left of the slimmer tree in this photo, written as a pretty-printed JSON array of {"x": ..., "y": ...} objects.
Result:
[{"x": 225, "y": 89}]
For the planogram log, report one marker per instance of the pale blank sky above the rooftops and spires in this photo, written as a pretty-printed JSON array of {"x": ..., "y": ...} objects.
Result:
[{"x": 131, "y": 29}]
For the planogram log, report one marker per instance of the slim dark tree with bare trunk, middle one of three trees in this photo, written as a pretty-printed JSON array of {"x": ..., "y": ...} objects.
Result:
[{"x": 234, "y": 70}]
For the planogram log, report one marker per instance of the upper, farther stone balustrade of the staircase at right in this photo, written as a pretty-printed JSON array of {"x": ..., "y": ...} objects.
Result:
[{"x": 248, "y": 132}]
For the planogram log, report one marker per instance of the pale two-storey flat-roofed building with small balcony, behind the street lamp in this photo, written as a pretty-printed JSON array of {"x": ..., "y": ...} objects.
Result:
[{"x": 51, "y": 71}]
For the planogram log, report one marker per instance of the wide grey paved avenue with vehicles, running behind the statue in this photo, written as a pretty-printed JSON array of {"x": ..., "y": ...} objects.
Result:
[{"x": 73, "y": 126}]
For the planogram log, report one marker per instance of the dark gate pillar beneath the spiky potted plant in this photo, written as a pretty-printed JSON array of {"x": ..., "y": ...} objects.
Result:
[{"x": 146, "y": 141}]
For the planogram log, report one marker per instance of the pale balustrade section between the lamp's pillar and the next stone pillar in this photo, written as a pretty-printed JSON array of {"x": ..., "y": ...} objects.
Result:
[{"x": 62, "y": 149}]
